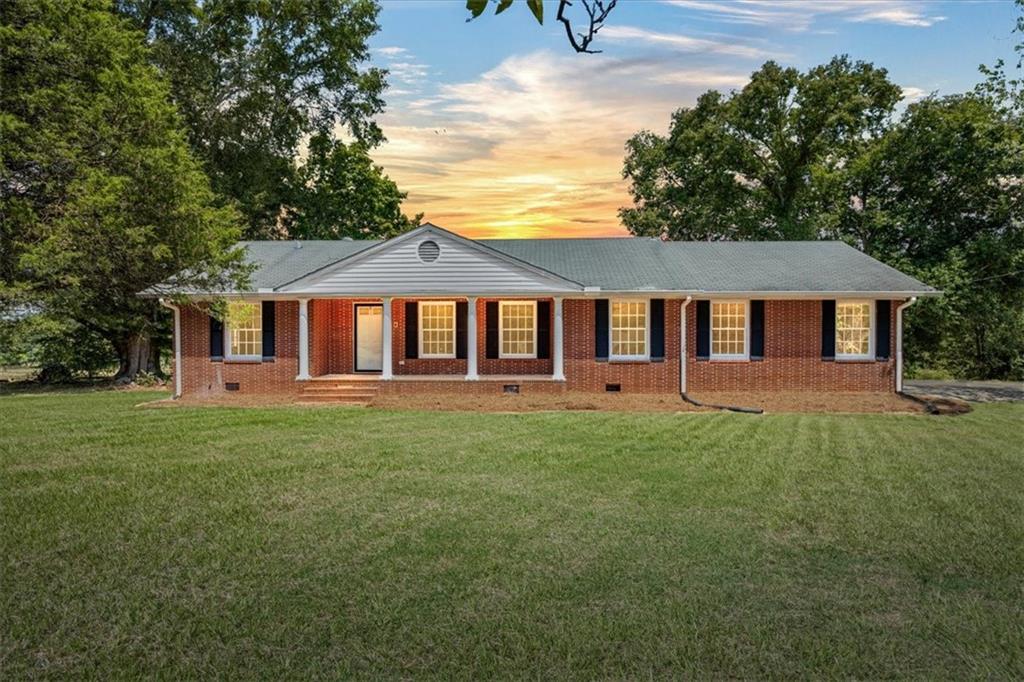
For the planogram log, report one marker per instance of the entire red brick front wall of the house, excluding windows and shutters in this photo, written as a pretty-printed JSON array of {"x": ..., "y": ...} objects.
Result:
[{"x": 792, "y": 362}]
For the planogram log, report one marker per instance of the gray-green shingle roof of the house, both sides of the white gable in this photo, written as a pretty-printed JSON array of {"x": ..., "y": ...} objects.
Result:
[{"x": 638, "y": 265}]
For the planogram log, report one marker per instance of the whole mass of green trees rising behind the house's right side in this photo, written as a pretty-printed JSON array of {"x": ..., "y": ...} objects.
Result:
[{"x": 937, "y": 192}]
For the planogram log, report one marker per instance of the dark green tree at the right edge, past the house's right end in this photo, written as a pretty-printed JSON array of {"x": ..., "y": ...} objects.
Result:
[{"x": 942, "y": 195}]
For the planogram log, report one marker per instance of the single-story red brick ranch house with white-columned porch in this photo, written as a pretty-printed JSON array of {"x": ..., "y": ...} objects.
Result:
[{"x": 433, "y": 312}]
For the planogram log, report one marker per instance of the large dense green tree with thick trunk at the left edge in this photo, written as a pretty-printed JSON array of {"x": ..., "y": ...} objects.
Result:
[{"x": 100, "y": 195}]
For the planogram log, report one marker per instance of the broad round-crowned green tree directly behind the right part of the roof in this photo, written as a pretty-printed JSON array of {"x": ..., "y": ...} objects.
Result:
[{"x": 743, "y": 166}]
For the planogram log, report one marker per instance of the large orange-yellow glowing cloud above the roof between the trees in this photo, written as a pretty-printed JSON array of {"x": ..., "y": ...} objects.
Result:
[{"x": 534, "y": 148}]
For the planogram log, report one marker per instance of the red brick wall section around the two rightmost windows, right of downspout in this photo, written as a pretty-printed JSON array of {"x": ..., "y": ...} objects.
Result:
[{"x": 793, "y": 357}]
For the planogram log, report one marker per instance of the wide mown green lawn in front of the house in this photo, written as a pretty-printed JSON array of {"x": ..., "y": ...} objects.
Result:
[{"x": 348, "y": 542}]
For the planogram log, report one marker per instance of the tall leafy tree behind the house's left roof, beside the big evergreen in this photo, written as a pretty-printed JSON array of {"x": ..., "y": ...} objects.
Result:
[{"x": 254, "y": 82}]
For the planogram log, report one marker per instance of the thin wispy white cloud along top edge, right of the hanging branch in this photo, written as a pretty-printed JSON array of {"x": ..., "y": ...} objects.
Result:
[{"x": 801, "y": 15}]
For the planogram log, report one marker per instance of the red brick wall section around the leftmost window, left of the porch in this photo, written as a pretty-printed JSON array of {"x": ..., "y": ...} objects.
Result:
[{"x": 205, "y": 377}]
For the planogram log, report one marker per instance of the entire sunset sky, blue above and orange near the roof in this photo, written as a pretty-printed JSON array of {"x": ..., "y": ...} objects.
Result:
[{"x": 497, "y": 129}]
